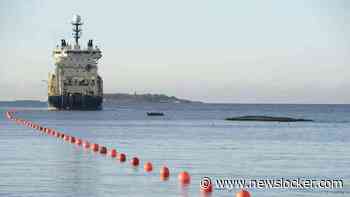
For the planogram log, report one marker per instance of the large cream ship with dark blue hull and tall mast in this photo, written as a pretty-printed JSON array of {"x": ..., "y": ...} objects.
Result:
[{"x": 75, "y": 83}]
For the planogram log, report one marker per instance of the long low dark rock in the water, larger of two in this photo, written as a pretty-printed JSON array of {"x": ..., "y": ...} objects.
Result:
[{"x": 267, "y": 119}]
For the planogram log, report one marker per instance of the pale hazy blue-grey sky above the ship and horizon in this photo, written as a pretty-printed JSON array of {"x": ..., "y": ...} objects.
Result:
[{"x": 251, "y": 51}]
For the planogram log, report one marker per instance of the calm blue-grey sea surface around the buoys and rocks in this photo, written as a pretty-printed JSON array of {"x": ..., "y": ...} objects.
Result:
[{"x": 189, "y": 137}]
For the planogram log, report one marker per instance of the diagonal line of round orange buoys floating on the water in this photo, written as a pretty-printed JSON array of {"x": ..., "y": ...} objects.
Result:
[{"x": 184, "y": 177}]
